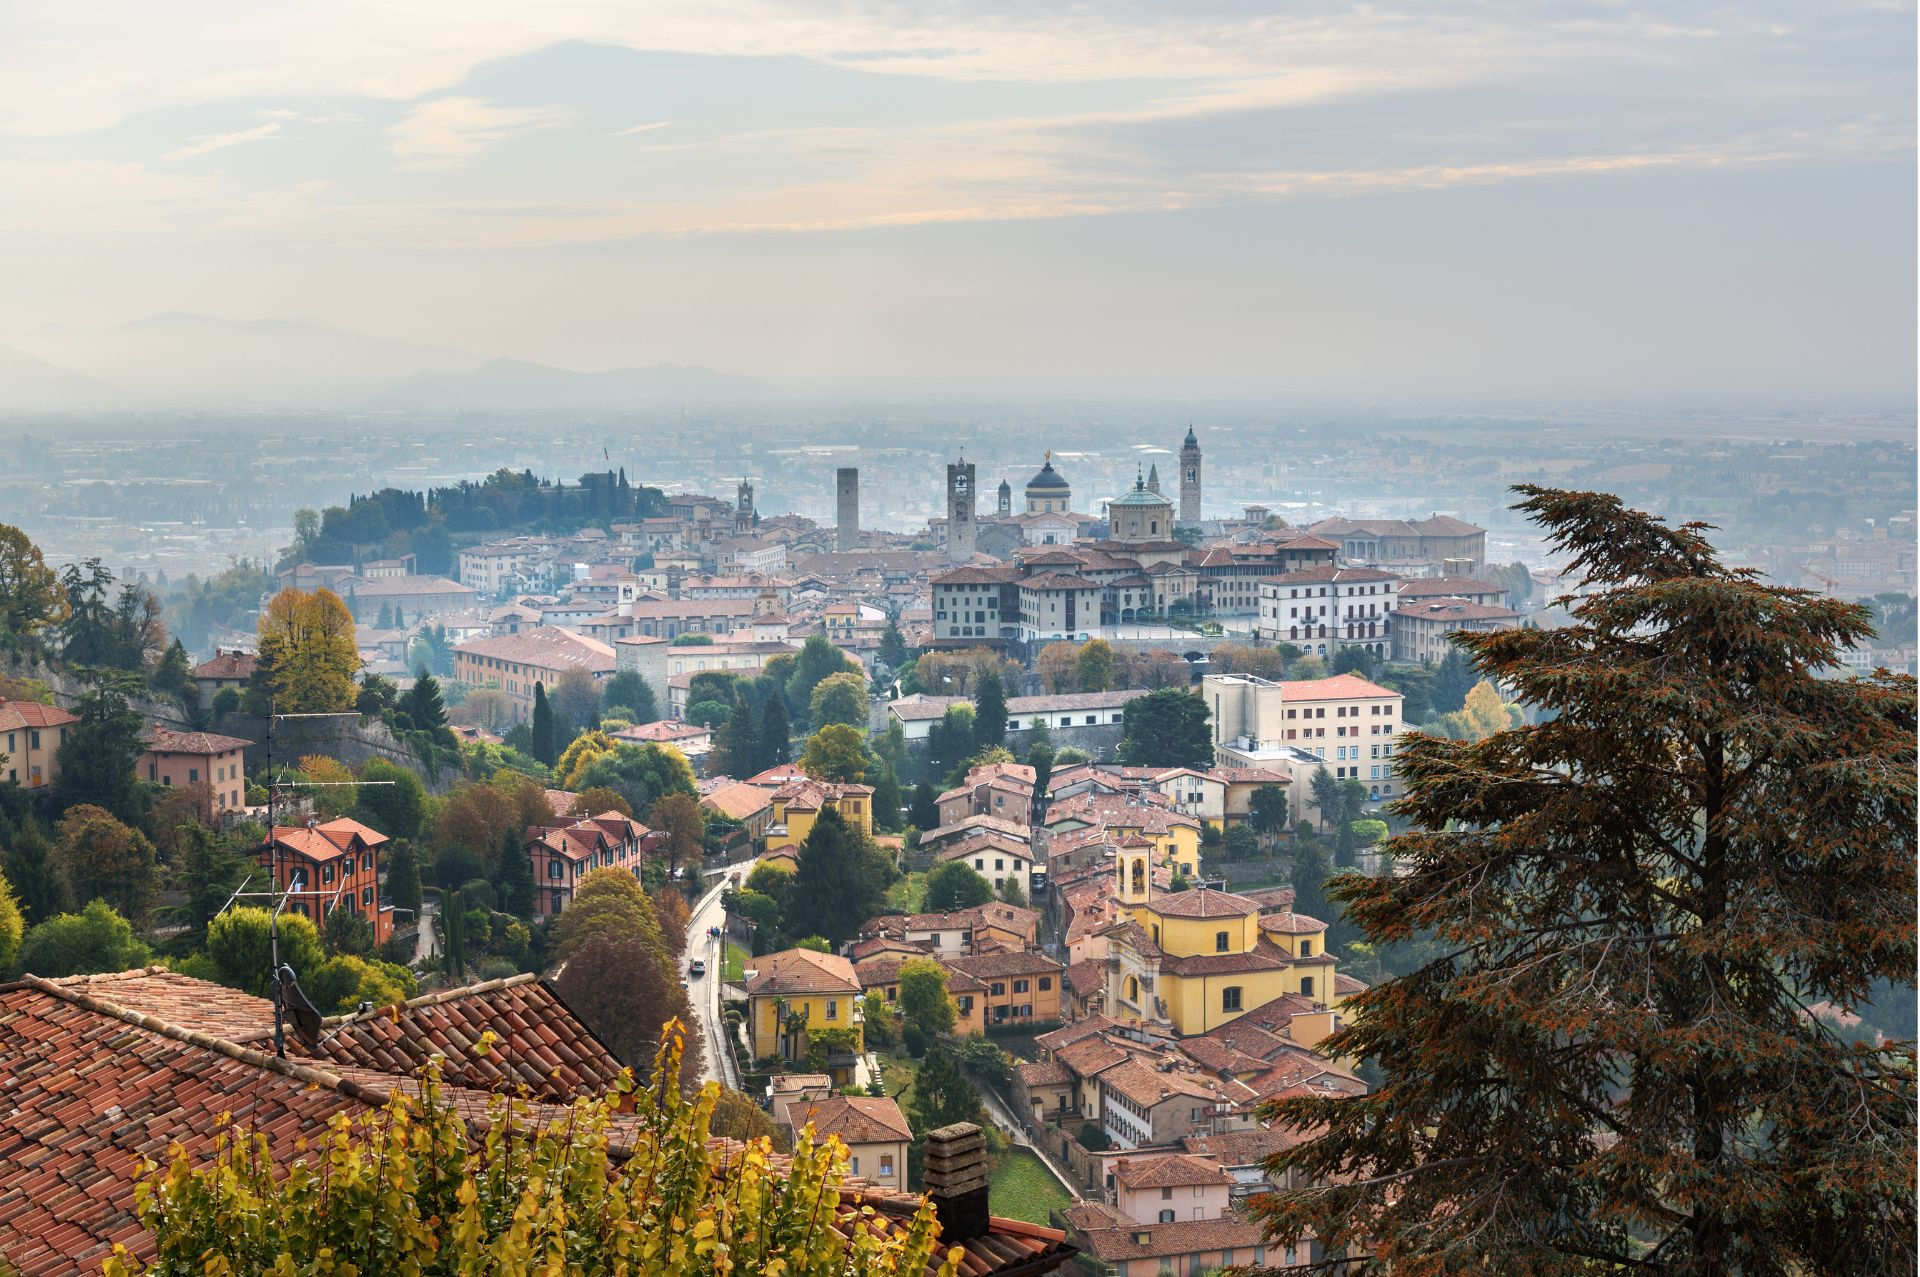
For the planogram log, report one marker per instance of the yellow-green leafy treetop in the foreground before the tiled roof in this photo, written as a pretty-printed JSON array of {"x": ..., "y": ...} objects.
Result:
[{"x": 420, "y": 1190}]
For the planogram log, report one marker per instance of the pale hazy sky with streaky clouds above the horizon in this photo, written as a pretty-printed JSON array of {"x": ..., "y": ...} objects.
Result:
[{"x": 1439, "y": 197}]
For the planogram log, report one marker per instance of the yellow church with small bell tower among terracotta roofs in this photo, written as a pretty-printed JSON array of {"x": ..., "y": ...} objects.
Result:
[{"x": 1193, "y": 961}]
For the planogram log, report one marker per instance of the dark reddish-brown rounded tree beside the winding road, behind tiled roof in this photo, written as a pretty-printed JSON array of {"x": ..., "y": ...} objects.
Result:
[{"x": 627, "y": 992}]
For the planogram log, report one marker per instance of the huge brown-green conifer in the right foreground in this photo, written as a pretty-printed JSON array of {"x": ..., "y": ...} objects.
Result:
[{"x": 1610, "y": 1065}]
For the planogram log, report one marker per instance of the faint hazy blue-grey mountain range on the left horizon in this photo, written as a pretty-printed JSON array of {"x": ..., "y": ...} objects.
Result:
[{"x": 210, "y": 364}]
